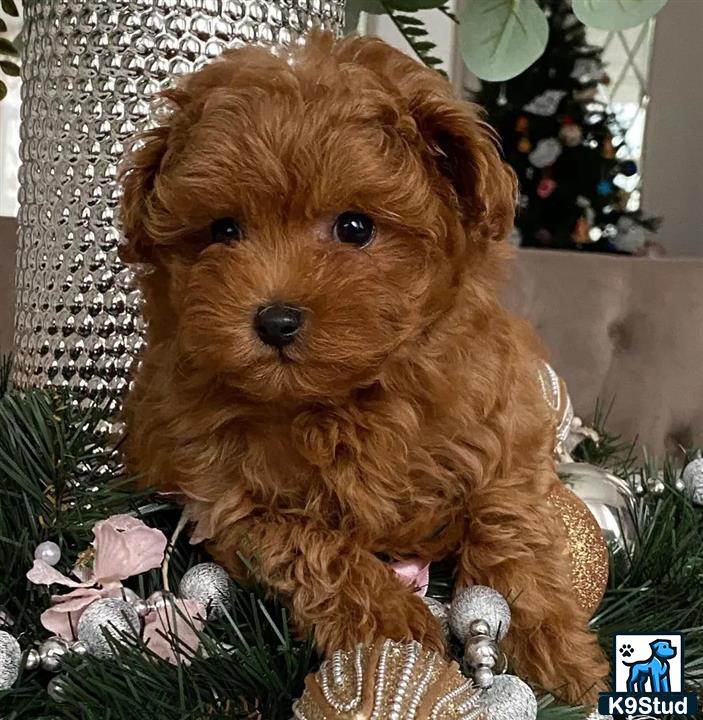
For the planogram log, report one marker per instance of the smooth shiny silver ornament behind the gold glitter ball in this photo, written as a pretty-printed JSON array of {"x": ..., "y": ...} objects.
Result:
[{"x": 612, "y": 502}]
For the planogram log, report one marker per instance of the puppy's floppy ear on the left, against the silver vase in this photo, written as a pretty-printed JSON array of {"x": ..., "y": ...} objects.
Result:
[{"x": 137, "y": 173}]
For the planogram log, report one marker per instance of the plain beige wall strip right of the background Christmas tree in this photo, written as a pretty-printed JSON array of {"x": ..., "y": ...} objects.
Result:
[{"x": 673, "y": 152}]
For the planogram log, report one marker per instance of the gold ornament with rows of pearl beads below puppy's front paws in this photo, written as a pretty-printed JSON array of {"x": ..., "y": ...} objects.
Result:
[{"x": 388, "y": 681}]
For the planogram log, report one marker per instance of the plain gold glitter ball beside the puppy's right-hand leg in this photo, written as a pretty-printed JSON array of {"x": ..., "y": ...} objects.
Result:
[{"x": 587, "y": 548}]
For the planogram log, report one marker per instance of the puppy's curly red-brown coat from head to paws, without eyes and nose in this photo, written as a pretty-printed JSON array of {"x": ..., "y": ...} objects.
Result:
[{"x": 406, "y": 419}]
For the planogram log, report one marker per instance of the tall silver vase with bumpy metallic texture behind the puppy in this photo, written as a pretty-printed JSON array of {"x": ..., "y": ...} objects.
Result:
[{"x": 88, "y": 72}]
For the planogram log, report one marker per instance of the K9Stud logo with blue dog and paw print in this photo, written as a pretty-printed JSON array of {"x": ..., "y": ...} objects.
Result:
[{"x": 648, "y": 677}]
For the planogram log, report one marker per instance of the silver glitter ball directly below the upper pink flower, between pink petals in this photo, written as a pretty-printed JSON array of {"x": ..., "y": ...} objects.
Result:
[{"x": 109, "y": 616}]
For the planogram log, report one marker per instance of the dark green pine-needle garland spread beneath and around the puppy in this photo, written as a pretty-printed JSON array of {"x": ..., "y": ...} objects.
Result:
[{"x": 58, "y": 476}]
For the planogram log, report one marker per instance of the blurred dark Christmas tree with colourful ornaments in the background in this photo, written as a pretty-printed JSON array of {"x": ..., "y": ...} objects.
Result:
[{"x": 566, "y": 146}]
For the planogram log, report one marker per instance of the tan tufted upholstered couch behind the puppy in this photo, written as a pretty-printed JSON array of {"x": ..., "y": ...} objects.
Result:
[{"x": 617, "y": 328}]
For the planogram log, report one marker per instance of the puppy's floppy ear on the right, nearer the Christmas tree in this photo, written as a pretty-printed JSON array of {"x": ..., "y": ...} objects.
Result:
[{"x": 464, "y": 150}]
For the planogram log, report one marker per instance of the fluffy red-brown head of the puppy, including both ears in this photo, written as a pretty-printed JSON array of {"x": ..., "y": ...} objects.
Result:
[{"x": 309, "y": 216}]
